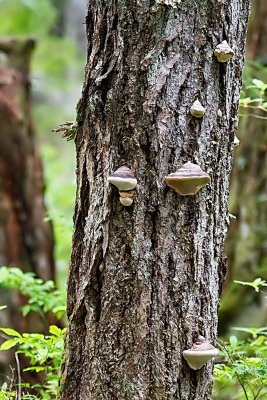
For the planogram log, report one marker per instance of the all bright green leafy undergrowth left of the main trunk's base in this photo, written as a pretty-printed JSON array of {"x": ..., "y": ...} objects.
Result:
[{"x": 44, "y": 351}]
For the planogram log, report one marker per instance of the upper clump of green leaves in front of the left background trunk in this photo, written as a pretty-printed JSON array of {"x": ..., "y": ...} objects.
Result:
[{"x": 43, "y": 296}]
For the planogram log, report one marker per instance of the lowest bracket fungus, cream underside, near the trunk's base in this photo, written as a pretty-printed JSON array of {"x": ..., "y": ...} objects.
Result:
[{"x": 200, "y": 353}]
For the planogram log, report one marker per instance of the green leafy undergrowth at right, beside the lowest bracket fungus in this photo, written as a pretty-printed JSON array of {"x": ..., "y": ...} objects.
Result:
[{"x": 243, "y": 369}]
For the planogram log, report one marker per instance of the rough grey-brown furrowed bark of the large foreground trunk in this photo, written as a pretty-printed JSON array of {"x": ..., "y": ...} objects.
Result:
[{"x": 145, "y": 280}]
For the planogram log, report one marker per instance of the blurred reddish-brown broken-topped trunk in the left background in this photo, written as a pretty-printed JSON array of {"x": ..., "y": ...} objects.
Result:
[{"x": 26, "y": 238}]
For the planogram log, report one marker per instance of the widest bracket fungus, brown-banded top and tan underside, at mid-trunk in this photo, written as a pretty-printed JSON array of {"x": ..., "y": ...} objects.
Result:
[{"x": 188, "y": 179}]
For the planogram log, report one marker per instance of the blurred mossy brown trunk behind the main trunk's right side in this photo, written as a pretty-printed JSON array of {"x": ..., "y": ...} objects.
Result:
[{"x": 246, "y": 245}]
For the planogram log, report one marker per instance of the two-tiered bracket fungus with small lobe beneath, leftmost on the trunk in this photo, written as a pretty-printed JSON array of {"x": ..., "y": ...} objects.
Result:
[{"x": 124, "y": 179}]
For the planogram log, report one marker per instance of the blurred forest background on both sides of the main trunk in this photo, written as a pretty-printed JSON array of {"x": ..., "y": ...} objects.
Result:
[{"x": 42, "y": 59}]
